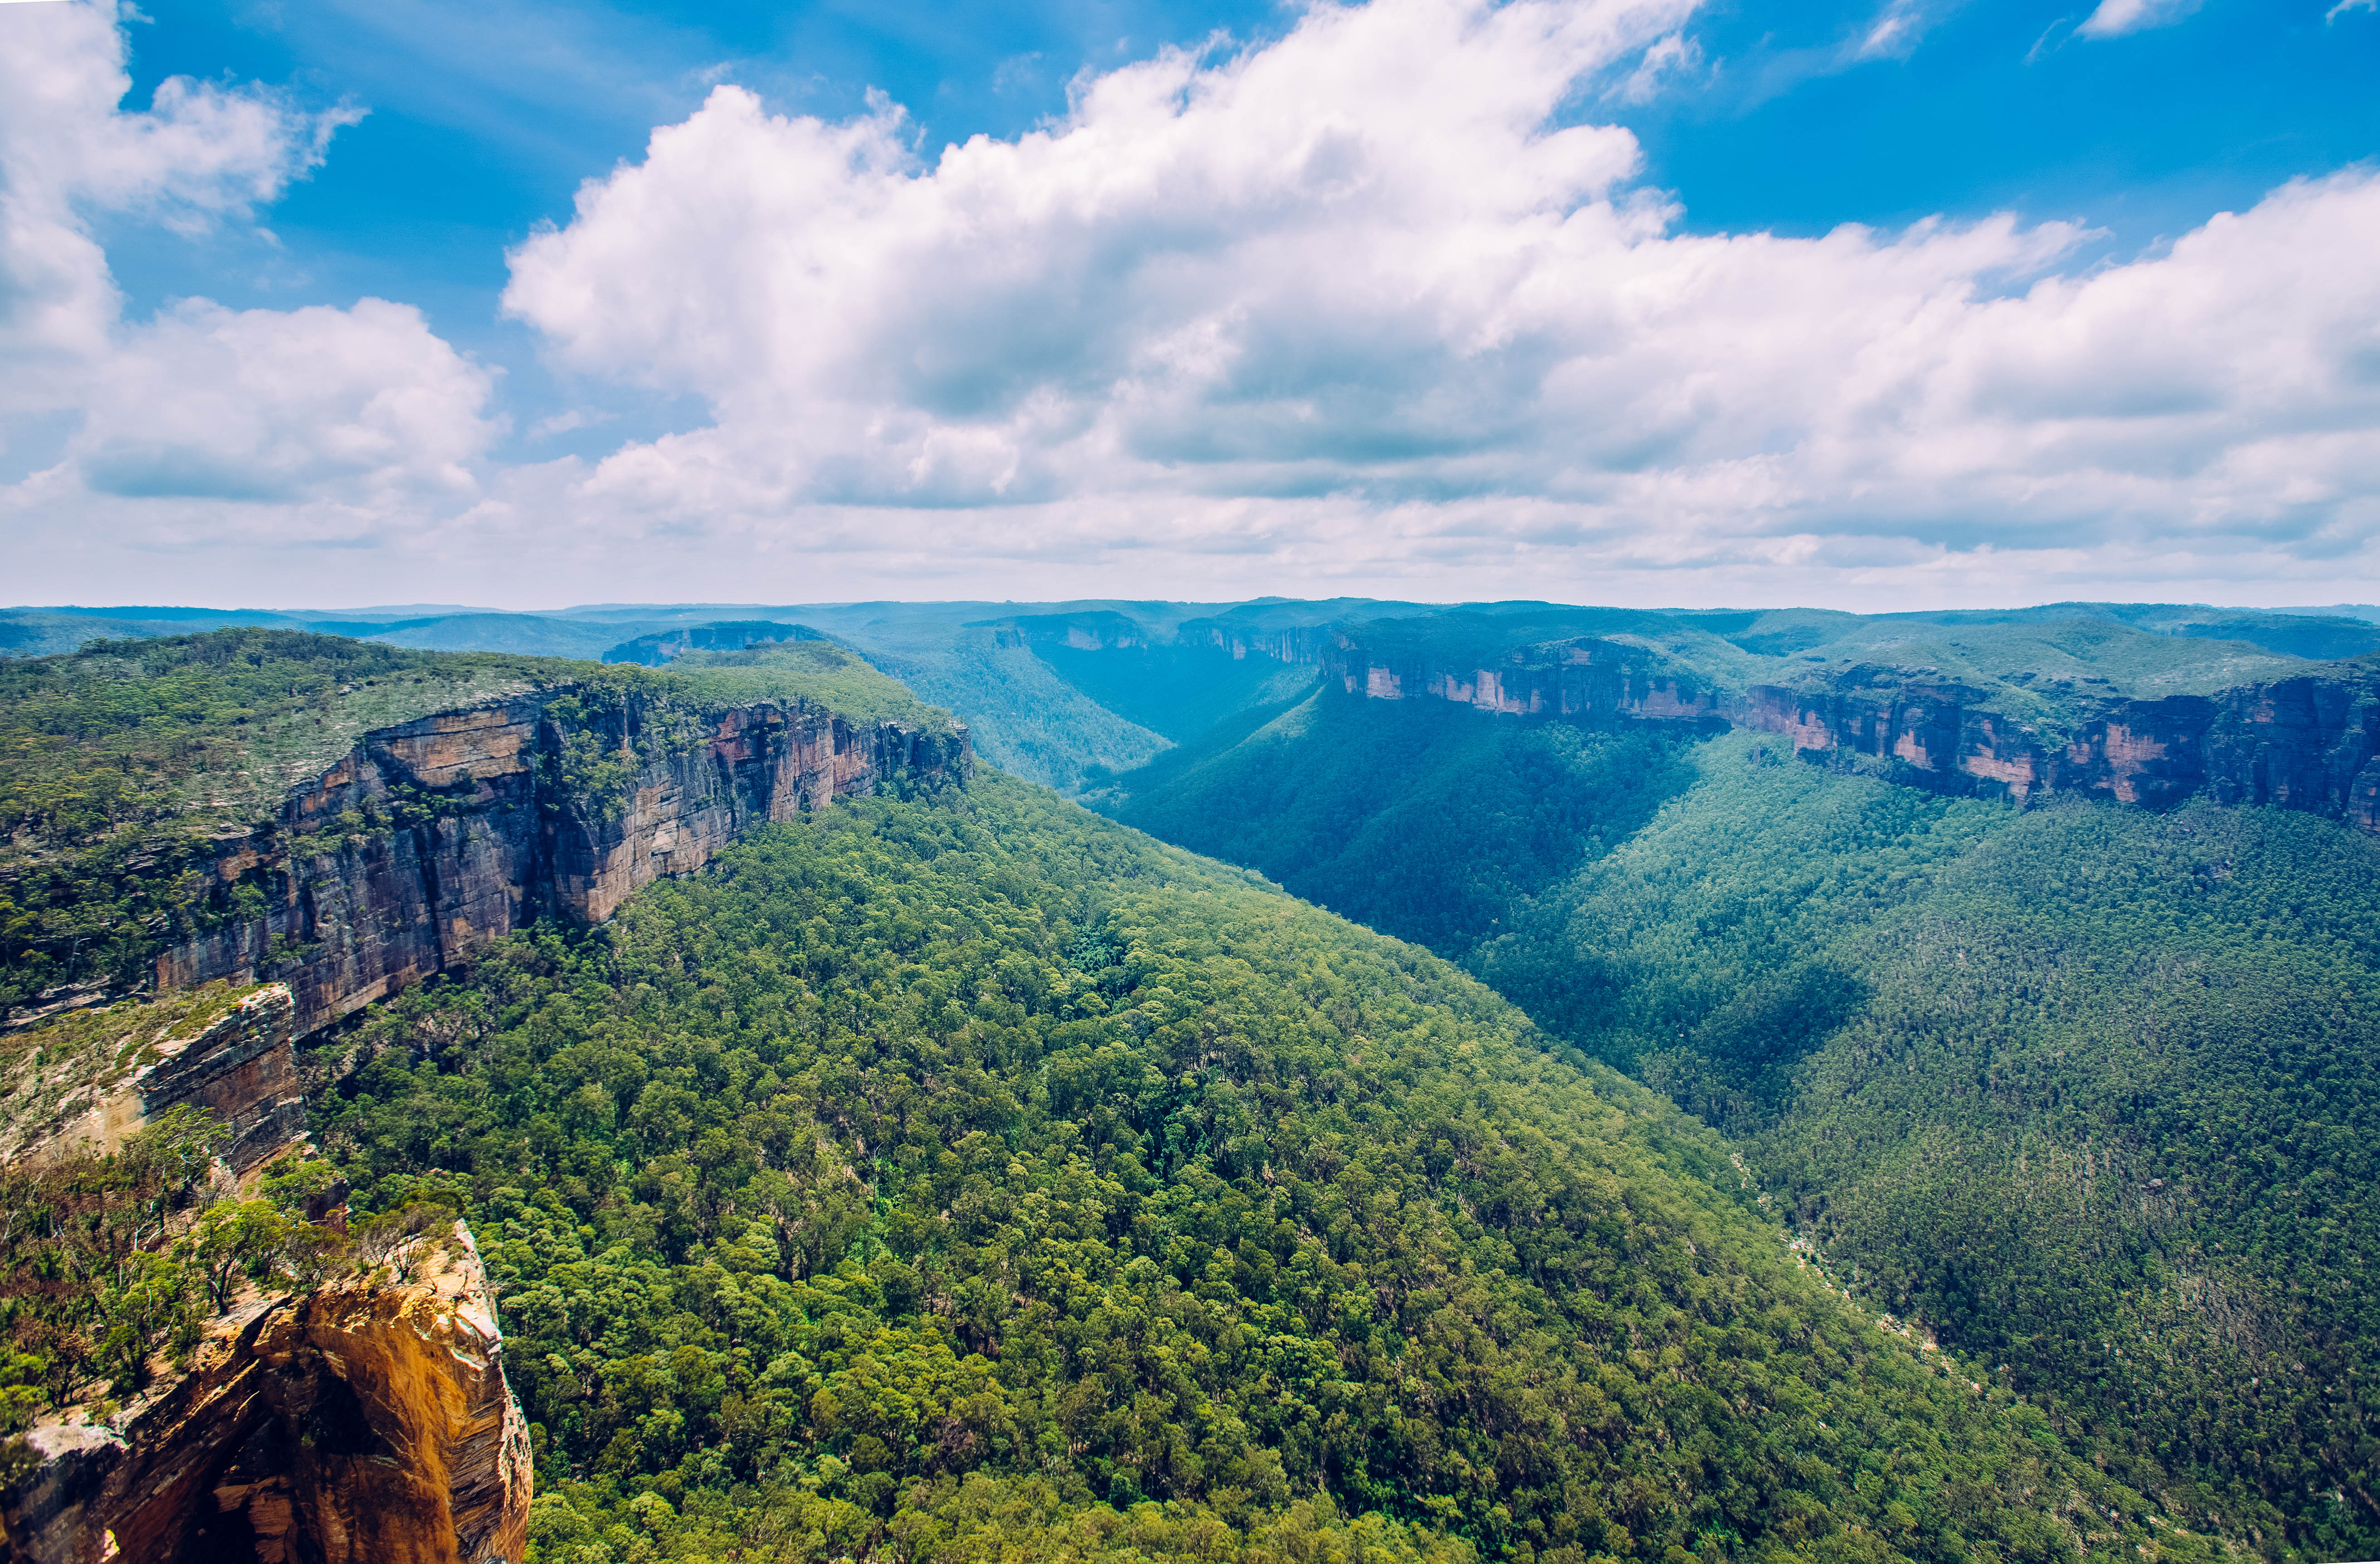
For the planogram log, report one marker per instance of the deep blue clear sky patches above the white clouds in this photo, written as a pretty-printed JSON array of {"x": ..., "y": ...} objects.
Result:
[{"x": 484, "y": 118}]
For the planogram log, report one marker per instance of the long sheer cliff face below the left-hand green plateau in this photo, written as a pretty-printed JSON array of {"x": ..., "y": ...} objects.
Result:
[{"x": 437, "y": 837}]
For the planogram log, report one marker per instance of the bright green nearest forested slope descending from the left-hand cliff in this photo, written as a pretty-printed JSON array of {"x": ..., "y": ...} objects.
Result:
[{"x": 970, "y": 1177}]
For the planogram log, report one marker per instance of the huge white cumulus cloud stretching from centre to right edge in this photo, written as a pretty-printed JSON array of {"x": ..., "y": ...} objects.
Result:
[{"x": 1267, "y": 301}]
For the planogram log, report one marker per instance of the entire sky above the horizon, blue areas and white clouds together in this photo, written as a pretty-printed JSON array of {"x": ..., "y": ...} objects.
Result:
[{"x": 1881, "y": 304}]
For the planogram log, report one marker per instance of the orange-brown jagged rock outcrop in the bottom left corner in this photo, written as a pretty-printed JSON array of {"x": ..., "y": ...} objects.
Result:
[{"x": 365, "y": 1422}]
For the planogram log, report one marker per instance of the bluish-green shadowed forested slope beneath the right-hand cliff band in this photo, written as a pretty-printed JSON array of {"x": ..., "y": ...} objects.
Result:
[{"x": 2086, "y": 1089}]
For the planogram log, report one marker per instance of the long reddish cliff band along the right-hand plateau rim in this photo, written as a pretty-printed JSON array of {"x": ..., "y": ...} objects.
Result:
[{"x": 2296, "y": 744}]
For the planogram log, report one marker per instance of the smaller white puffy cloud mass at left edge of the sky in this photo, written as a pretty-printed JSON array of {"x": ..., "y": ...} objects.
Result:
[{"x": 358, "y": 413}]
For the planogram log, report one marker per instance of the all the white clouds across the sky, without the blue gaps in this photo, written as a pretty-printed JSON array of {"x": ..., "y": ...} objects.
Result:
[{"x": 1382, "y": 308}]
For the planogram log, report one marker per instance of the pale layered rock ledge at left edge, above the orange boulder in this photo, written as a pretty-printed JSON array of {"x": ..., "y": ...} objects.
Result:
[{"x": 96, "y": 1080}]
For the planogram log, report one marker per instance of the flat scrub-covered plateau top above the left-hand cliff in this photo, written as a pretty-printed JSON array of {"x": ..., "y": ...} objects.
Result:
[{"x": 132, "y": 765}]
